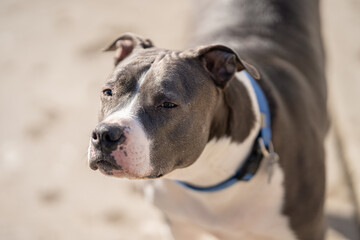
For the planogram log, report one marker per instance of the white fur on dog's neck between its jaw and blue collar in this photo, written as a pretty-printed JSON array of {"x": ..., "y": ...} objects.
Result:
[{"x": 222, "y": 157}]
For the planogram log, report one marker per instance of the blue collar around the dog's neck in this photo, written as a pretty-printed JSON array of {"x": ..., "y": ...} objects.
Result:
[{"x": 248, "y": 169}]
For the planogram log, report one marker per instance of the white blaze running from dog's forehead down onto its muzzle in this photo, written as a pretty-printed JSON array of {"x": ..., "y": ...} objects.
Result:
[{"x": 133, "y": 156}]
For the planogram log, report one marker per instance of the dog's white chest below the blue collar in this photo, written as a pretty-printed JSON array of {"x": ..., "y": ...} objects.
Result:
[{"x": 248, "y": 210}]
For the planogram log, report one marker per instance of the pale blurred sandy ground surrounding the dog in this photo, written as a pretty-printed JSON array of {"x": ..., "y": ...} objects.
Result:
[{"x": 51, "y": 72}]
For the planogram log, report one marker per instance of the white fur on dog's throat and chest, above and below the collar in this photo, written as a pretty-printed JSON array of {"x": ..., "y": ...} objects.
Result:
[{"x": 247, "y": 210}]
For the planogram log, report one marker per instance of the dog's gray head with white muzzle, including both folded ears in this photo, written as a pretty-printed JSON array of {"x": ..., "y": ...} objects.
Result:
[{"x": 159, "y": 108}]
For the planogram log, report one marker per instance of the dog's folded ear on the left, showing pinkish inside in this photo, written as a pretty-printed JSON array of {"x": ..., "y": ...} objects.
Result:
[{"x": 125, "y": 44}]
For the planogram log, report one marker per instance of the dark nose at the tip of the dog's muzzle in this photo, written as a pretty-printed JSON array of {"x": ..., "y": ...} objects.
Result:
[{"x": 108, "y": 136}]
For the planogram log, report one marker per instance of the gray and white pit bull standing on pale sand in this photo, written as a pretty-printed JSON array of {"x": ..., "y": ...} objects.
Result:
[{"x": 193, "y": 116}]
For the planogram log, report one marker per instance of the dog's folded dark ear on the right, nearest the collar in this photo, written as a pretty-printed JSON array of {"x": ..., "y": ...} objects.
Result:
[{"x": 222, "y": 63}]
